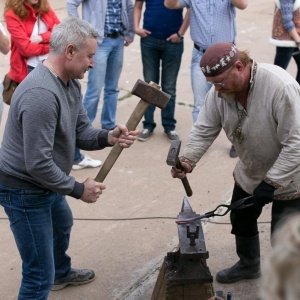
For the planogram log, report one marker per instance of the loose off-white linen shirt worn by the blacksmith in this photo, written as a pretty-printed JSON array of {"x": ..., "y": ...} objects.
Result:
[{"x": 271, "y": 129}]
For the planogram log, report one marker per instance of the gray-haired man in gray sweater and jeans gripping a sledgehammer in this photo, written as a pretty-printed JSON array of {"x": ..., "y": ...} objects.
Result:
[{"x": 46, "y": 121}]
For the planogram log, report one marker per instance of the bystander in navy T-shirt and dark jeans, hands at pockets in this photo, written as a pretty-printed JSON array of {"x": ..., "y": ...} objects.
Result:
[{"x": 161, "y": 48}]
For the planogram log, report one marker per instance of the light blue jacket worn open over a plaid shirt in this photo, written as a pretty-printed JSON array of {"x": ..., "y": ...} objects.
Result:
[{"x": 94, "y": 12}]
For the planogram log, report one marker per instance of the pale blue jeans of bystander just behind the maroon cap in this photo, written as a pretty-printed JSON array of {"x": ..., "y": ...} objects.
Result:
[{"x": 199, "y": 84}]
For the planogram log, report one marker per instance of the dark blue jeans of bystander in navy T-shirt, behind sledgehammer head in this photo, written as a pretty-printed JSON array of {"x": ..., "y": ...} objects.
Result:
[{"x": 156, "y": 52}]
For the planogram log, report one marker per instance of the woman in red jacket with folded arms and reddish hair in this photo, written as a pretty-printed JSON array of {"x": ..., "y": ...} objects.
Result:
[{"x": 30, "y": 24}]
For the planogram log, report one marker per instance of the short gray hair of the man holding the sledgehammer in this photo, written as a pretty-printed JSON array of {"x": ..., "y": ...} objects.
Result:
[{"x": 71, "y": 31}]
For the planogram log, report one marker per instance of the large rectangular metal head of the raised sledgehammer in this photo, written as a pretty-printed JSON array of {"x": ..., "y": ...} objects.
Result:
[{"x": 150, "y": 94}]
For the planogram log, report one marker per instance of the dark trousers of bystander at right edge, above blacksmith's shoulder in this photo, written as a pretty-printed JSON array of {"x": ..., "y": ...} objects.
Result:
[{"x": 283, "y": 57}]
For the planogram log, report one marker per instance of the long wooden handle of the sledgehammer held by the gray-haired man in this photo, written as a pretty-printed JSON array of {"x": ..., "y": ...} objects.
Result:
[{"x": 131, "y": 124}]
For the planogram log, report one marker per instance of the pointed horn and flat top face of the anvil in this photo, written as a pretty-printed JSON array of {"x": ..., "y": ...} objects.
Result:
[{"x": 186, "y": 249}]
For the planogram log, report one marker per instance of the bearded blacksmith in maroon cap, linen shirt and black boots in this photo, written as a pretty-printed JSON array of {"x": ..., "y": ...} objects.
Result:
[{"x": 258, "y": 107}]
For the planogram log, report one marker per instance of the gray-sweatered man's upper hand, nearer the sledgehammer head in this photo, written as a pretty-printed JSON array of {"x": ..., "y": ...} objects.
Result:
[{"x": 121, "y": 135}]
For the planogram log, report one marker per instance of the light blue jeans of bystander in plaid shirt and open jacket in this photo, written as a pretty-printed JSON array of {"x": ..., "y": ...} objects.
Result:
[{"x": 106, "y": 72}]
